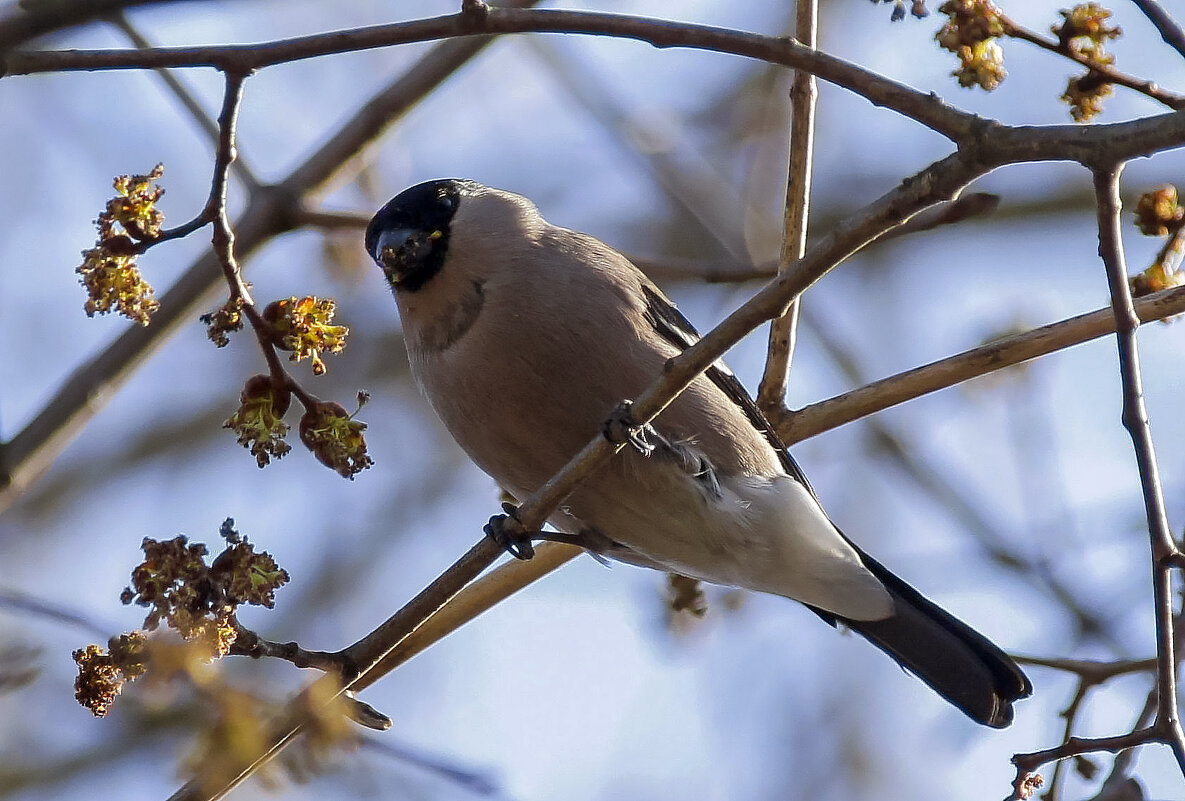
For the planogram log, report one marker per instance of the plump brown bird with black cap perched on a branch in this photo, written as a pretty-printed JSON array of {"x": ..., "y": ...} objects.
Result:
[{"x": 527, "y": 339}]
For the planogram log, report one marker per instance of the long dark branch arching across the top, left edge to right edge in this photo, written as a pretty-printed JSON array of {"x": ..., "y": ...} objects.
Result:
[{"x": 1117, "y": 142}]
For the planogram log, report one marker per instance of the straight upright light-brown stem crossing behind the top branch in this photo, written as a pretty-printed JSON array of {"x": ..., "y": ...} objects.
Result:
[{"x": 784, "y": 331}]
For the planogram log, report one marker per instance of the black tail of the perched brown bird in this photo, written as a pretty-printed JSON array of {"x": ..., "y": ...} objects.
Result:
[{"x": 956, "y": 661}]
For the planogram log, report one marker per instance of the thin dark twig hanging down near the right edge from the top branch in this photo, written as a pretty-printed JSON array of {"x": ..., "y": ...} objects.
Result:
[{"x": 1136, "y": 421}]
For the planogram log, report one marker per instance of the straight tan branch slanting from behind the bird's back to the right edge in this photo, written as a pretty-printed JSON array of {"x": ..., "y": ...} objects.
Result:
[{"x": 877, "y": 396}]
